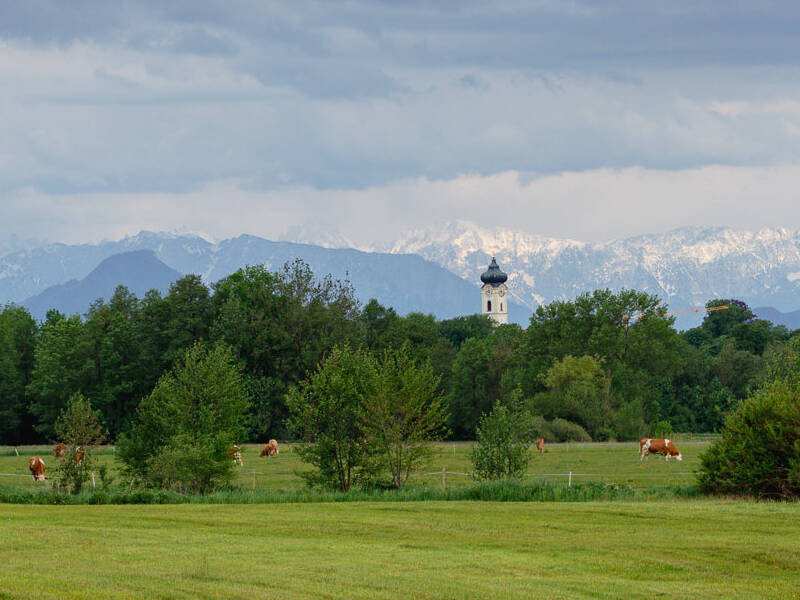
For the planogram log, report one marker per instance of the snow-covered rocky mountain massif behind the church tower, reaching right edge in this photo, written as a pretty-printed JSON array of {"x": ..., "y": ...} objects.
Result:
[{"x": 686, "y": 267}]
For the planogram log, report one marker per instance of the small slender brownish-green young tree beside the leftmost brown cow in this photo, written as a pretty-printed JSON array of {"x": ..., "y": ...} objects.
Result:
[{"x": 81, "y": 429}]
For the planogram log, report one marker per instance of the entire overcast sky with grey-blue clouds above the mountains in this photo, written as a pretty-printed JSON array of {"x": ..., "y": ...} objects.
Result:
[{"x": 585, "y": 120}]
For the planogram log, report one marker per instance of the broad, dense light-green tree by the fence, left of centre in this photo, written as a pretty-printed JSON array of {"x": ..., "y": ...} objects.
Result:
[{"x": 184, "y": 428}]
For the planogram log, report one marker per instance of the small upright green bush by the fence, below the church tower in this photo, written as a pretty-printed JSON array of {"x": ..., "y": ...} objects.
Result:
[{"x": 503, "y": 441}]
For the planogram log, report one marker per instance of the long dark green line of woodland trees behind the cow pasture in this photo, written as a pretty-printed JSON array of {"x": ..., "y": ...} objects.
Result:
[{"x": 602, "y": 366}]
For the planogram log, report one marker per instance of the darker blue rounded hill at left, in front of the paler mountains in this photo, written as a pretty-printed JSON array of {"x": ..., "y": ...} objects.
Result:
[{"x": 139, "y": 271}]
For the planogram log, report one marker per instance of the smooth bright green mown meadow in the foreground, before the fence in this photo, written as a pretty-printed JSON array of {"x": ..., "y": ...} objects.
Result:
[{"x": 687, "y": 549}]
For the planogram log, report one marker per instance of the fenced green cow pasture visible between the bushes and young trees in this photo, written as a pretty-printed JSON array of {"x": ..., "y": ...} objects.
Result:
[{"x": 606, "y": 462}]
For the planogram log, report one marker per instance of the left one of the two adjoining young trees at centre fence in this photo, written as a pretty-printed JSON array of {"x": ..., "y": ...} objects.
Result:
[{"x": 325, "y": 414}]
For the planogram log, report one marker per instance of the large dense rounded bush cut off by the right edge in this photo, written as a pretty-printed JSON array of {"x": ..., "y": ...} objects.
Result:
[{"x": 759, "y": 453}]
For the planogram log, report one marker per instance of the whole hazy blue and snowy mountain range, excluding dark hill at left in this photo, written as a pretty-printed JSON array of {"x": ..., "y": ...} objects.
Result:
[{"x": 437, "y": 270}]
